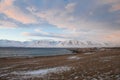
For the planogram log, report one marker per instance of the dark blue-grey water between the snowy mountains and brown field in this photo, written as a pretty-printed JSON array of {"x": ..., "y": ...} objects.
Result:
[{"x": 32, "y": 52}]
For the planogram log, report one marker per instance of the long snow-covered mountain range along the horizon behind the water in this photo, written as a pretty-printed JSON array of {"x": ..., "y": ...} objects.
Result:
[{"x": 52, "y": 43}]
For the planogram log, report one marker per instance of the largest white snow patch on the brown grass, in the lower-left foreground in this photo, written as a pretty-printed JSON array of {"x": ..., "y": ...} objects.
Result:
[{"x": 41, "y": 72}]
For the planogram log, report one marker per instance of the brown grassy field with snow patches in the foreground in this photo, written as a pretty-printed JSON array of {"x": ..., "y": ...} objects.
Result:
[{"x": 83, "y": 64}]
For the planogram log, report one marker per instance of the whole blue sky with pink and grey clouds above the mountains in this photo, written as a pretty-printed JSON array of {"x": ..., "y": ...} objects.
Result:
[{"x": 94, "y": 20}]
